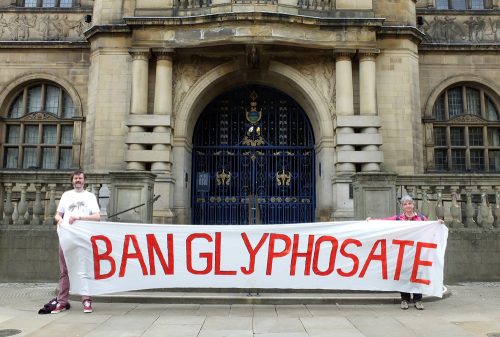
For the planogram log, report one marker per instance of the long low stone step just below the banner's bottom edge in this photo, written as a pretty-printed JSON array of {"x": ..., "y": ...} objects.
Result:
[{"x": 254, "y": 296}]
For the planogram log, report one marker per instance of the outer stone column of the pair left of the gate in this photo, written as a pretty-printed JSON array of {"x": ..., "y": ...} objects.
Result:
[{"x": 139, "y": 104}]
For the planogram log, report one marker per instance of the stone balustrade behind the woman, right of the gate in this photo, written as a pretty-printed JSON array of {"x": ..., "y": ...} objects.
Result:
[{"x": 468, "y": 201}]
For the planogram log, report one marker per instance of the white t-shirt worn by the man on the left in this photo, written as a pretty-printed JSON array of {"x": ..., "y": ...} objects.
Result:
[{"x": 77, "y": 204}]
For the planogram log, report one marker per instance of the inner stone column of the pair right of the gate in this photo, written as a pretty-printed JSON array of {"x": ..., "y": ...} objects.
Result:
[{"x": 344, "y": 101}]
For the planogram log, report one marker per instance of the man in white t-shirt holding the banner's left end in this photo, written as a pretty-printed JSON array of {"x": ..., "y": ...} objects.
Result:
[{"x": 76, "y": 204}]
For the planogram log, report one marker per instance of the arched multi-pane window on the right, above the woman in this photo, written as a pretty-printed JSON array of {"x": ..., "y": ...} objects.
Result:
[{"x": 466, "y": 130}]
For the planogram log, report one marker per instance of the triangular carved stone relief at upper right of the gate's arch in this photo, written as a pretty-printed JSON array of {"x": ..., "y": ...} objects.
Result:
[{"x": 320, "y": 72}]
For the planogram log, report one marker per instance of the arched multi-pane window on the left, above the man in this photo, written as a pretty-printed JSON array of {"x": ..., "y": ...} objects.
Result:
[{"x": 39, "y": 129}]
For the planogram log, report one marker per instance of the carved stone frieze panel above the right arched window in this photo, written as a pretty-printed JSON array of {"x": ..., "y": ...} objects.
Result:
[{"x": 471, "y": 29}]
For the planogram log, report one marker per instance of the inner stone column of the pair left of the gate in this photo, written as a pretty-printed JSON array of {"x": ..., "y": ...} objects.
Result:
[{"x": 164, "y": 184}]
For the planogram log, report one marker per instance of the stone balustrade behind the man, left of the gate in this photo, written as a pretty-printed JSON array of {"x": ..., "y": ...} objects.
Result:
[{"x": 29, "y": 199}]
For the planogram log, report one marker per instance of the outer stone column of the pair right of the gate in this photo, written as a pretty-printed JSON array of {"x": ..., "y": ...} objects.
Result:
[{"x": 368, "y": 101}]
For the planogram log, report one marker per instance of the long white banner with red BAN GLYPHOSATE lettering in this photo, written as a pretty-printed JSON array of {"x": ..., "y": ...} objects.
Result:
[{"x": 105, "y": 257}]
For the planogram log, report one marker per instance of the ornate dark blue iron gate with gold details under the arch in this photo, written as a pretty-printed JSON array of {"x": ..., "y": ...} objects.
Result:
[{"x": 253, "y": 160}]
